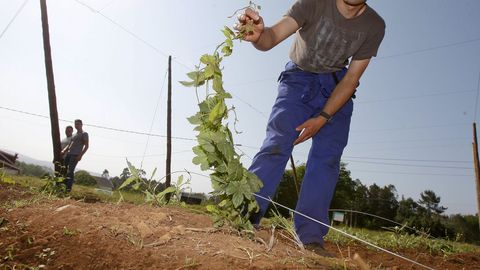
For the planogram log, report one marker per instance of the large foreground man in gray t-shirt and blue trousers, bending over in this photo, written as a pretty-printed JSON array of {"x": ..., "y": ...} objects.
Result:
[{"x": 315, "y": 86}]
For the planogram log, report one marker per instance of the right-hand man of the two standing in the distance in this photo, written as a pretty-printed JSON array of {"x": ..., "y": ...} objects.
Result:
[{"x": 75, "y": 151}]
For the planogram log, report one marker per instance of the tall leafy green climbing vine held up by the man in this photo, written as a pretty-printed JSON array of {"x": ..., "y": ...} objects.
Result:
[{"x": 231, "y": 182}]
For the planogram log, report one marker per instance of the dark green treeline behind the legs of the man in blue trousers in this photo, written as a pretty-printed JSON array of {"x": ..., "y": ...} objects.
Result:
[{"x": 425, "y": 215}]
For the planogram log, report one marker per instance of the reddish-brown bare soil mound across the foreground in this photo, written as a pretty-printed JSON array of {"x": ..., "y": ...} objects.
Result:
[{"x": 92, "y": 231}]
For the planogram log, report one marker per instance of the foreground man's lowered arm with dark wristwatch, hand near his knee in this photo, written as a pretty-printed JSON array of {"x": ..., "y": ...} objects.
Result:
[{"x": 340, "y": 95}]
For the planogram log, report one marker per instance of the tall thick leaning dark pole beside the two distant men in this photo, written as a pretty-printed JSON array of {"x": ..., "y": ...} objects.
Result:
[{"x": 52, "y": 99}]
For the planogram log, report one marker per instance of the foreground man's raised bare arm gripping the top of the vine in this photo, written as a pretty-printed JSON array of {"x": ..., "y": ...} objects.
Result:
[{"x": 265, "y": 38}]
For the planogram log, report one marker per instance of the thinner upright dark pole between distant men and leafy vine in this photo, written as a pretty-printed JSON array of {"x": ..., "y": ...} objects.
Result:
[{"x": 169, "y": 129}]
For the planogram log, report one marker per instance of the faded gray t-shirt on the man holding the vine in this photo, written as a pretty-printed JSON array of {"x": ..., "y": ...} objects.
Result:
[{"x": 326, "y": 39}]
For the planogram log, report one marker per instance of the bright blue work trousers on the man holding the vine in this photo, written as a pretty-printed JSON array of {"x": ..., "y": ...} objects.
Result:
[{"x": 301, "y": 96}]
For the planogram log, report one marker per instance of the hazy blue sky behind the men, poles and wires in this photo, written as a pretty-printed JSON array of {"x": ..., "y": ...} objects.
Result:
[{"x": 412, "y": 119}]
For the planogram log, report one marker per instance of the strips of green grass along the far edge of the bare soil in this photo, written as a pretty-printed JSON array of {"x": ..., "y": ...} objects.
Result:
[{"x": 393, "y": 239}]
